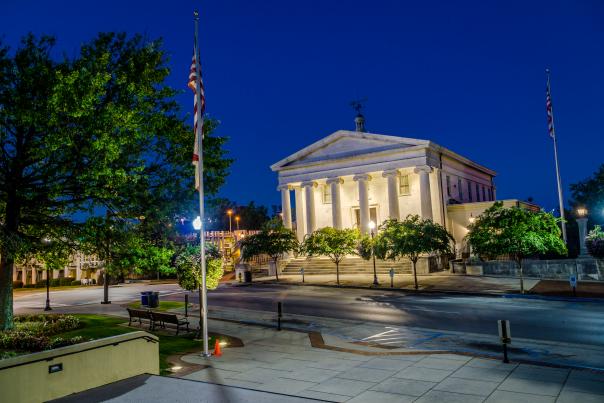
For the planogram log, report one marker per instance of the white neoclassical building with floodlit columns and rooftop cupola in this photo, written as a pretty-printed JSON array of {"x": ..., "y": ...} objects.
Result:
[{"x": 350, "y": 178}]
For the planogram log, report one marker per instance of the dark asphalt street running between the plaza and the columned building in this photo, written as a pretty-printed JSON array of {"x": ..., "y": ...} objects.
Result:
[{"x": 558, "y": 321}]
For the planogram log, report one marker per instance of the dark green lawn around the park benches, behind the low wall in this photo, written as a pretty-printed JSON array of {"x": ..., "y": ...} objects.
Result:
[{"x": 99, "y": 326}]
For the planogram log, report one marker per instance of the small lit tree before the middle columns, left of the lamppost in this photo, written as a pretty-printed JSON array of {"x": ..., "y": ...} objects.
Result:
[{"x": 333, "y": 243}]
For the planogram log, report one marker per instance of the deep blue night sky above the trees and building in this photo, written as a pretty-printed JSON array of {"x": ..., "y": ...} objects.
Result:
[{"x": 281, "y": 74}]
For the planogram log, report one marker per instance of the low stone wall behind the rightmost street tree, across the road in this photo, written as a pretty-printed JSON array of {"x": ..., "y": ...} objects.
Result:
[{"x": 585, "y": 268}]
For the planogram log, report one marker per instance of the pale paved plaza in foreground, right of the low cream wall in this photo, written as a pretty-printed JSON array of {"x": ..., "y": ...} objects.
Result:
[{"x": 285, "y": 362}]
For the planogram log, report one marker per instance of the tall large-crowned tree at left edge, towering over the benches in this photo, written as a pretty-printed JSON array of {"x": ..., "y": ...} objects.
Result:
[{"x": 101, "y": 130}]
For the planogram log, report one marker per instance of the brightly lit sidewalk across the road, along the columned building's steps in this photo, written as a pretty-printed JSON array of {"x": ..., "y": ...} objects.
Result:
[{"x": 434, "y": 282}]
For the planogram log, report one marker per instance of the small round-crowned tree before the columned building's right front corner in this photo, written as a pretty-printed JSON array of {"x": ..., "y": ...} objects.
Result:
[{"x": 412, "y": 238}]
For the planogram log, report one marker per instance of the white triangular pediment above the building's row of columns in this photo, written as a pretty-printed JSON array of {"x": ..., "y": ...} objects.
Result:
[{"x": 346, "y": 144}]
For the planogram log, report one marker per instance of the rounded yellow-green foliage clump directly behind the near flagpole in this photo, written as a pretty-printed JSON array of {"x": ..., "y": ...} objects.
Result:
[{"x": 188, "y": 267}]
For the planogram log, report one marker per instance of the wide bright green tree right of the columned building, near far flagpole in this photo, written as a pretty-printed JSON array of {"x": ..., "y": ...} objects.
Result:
[{"x": 514, "y": 232}]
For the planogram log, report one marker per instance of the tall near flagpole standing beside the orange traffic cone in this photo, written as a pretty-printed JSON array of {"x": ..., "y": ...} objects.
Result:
[{"x": 204, "y": 291}]
